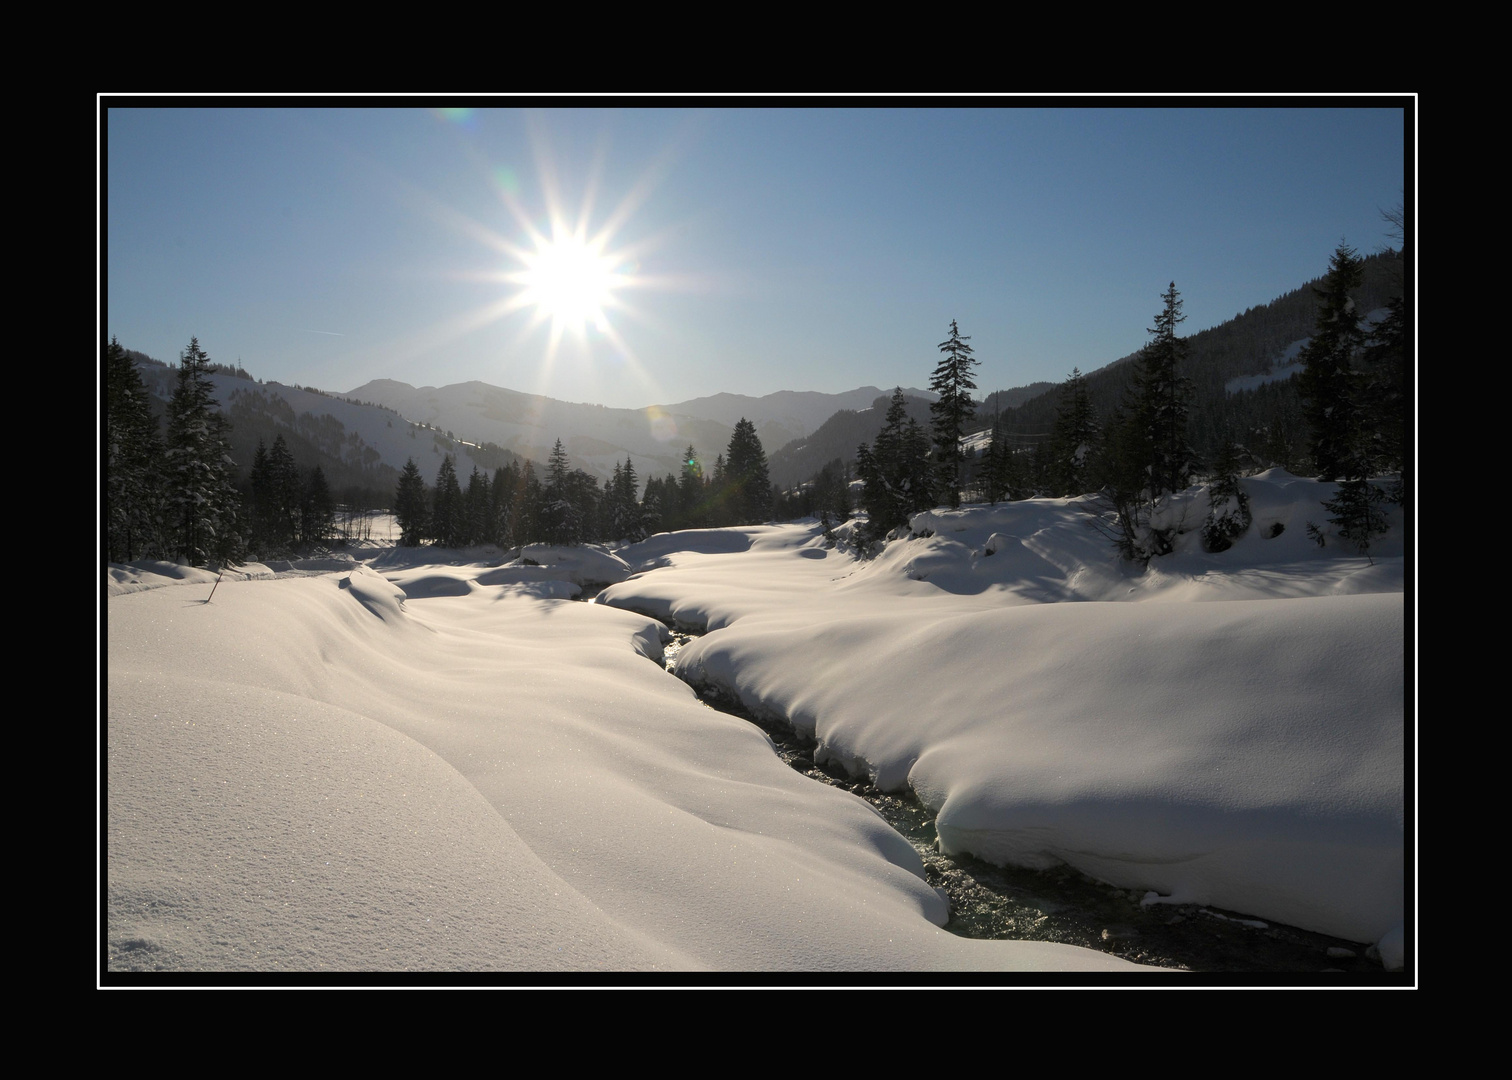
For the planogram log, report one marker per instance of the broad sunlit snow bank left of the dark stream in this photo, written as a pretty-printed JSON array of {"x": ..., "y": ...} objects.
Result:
[{"x": 426, "y": 772}]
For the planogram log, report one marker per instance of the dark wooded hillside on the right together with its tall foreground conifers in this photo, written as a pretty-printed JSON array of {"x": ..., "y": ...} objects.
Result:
[{"x": 1147, "y": 427}]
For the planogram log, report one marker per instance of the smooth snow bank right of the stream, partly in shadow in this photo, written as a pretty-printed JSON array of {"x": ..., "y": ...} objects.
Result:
[{"x": 1221, "y": 730}]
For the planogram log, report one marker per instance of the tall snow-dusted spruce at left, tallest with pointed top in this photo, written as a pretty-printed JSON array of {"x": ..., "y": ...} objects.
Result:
[{"x": 202, "y": 501}]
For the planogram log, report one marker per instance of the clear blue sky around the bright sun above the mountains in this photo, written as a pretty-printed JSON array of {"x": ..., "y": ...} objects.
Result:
[{"x": 749, "y": 250}]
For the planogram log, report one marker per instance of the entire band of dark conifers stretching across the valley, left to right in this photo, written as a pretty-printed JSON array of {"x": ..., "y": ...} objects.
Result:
[{"x": 172, "y": 495}]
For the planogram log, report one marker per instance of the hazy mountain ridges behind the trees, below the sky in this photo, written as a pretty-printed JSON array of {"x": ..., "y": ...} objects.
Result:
[{"x": 362, "y": 439}]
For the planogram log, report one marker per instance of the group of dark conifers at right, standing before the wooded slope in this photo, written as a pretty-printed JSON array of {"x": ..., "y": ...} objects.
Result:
[{"x": 1342, "y": 420}]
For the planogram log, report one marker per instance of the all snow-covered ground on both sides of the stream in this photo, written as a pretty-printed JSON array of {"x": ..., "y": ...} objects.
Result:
[{"x": 435, "y": 766}]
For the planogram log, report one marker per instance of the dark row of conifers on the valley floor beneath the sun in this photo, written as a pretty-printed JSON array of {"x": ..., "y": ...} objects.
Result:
[{"x": 568, "y": 506}]
